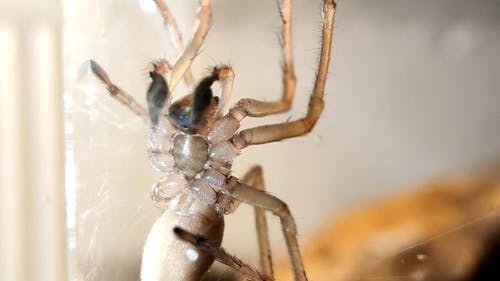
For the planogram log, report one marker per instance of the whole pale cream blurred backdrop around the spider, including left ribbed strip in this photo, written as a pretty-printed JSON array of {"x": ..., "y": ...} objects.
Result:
[{"x": 412, "y": 93}]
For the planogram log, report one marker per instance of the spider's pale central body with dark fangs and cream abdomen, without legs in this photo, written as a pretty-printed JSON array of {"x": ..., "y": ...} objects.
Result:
[{"x": 191, "y": 195}]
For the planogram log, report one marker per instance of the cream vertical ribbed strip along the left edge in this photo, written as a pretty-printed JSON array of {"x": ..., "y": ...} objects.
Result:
[{"x": 33, "y": 243}]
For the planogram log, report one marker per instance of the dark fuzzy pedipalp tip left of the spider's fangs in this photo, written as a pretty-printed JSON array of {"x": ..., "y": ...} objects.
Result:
[{"x": 156, "y": 96}]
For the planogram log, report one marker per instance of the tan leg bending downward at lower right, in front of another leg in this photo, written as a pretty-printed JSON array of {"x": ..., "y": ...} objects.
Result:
[{"x": 261, "y": 199}]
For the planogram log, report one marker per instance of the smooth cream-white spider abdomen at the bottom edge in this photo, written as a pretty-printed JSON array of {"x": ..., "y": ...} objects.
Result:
[{"x": 168, "y": 258}]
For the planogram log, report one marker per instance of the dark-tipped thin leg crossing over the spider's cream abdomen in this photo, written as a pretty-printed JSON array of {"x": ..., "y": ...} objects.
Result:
[{"x": 221, "y": 255}]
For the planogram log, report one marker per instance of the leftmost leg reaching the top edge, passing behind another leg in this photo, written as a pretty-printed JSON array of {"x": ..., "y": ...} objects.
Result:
[{"x": 175, "y": 35}]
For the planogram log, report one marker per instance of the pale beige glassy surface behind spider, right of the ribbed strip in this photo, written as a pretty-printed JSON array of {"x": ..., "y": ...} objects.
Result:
[{"x": 410, "y": 95}]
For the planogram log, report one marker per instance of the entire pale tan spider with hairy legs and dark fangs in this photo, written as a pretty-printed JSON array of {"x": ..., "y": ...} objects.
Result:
[{"x": 194, "y": 140}]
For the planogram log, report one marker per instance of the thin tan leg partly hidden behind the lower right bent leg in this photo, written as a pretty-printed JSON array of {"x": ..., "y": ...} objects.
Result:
[{"x": 254, "y": 178}]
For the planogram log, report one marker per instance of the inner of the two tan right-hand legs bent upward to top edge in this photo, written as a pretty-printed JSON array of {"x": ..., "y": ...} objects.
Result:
[{"x": 258, "y": 108}]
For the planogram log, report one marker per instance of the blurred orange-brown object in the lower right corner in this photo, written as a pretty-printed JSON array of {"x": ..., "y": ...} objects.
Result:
[{"x": 443, "y": 230}]
